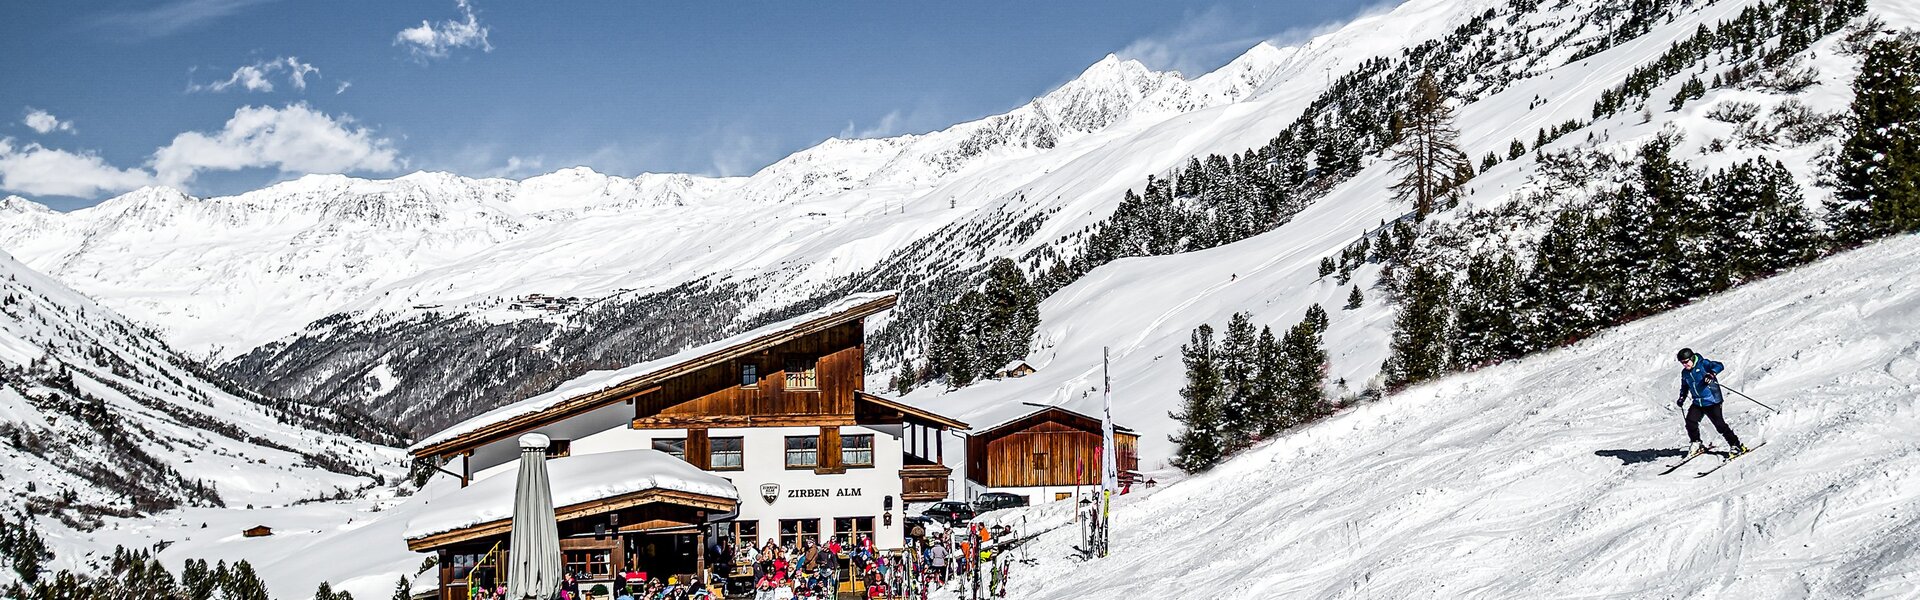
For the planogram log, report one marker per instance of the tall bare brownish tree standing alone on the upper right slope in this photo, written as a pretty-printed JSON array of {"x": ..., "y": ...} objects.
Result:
[{"x": 1428, "y": 157}]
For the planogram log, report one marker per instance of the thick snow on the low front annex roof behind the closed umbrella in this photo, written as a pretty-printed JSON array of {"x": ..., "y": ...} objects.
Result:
[{"x": 575, "y": 480}]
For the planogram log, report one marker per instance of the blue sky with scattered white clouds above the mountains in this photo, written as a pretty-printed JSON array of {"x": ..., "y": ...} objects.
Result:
[{"x": 229, "y": 95}]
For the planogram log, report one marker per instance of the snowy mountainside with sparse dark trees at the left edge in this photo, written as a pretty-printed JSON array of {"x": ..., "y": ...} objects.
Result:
[{"x": 103, "y": 420}]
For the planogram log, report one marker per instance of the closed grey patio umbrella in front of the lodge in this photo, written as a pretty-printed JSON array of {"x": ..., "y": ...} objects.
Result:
[{"x": 535, "y": 545}]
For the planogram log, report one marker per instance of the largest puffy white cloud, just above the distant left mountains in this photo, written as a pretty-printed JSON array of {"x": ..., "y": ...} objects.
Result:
[{"x": 289, "y": 139}]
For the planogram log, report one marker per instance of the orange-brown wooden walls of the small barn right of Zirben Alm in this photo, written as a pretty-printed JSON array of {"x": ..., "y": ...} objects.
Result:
[{"x": 1047, "y": 447}]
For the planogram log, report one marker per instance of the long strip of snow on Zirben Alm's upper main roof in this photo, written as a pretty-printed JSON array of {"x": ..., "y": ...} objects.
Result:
[{"x": 596, "y": 382}]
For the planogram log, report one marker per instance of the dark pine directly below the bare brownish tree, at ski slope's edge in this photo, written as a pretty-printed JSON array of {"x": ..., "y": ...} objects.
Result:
[{"x": 1422, "y": 332}]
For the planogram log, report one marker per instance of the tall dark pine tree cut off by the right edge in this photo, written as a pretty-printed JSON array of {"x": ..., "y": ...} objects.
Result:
[{"x": 1879, "y": 166}]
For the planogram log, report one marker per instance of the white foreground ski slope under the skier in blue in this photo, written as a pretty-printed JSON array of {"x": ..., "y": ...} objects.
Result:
[{"x": 1539, "y": 478}]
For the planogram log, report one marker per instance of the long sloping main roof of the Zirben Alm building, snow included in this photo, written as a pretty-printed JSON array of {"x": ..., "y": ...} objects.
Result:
[{"x": 604, "y": 387}]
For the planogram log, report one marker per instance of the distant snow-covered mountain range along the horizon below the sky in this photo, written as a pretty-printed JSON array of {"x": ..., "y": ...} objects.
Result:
[{"x": 300, "y": 251}]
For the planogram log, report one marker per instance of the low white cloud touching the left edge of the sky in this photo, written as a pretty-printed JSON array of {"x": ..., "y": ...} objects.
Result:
[{"x": 45, "y": 172}]
